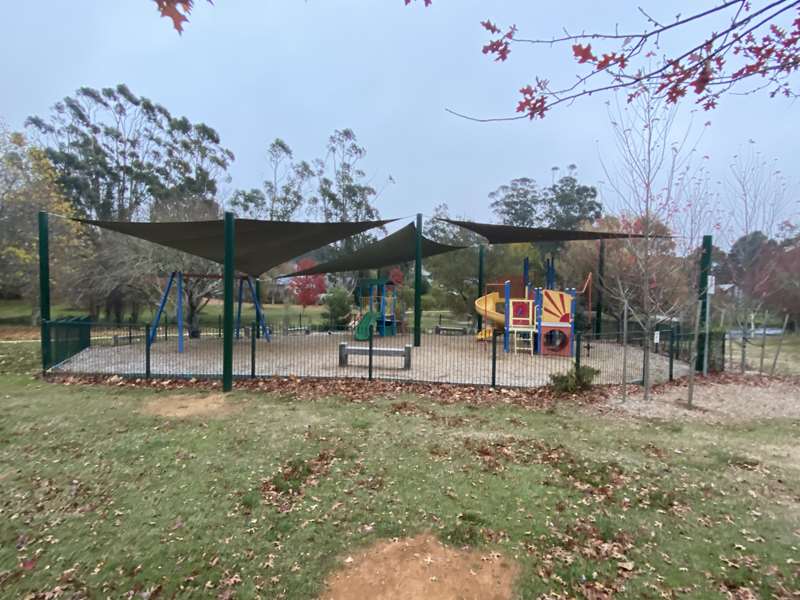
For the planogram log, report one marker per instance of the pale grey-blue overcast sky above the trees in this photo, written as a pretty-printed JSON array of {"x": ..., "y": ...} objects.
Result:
[{"x": 260, "y": 69}]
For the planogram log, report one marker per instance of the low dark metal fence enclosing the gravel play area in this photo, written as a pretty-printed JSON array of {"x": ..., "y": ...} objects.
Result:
[{"x": 447, "y": 354}]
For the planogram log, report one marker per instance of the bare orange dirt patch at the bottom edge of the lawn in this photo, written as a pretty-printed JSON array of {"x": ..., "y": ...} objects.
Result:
[{"x": 421, "y": 567}]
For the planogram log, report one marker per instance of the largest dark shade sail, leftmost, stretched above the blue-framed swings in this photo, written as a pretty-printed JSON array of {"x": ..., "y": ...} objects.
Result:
[{"x": 260, "y": 245}]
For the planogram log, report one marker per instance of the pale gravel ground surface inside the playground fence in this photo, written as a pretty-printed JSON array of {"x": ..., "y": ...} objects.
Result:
[{"x": 440, "y": 358}]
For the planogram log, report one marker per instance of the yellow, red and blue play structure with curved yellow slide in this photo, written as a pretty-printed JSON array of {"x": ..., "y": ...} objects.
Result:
[{"x": 540, "y": 321}]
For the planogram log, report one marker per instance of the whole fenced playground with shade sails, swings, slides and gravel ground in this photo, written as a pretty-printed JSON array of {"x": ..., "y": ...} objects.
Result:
[{"x": 521, "y": 332}]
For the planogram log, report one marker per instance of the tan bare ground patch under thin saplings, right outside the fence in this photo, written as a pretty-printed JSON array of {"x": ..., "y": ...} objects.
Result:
[{"x": 718, "y": 399}]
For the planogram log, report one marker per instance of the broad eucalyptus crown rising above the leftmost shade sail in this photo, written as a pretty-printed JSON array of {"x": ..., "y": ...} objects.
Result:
[{"x": 117, "y": 154}]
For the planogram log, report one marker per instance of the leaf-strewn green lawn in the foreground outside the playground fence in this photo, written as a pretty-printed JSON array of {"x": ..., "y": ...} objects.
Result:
[{"x": 267, "y": 495}]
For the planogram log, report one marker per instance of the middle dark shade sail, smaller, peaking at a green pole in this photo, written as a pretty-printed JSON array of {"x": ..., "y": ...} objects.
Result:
[{"x": 398, "y": 247}]
